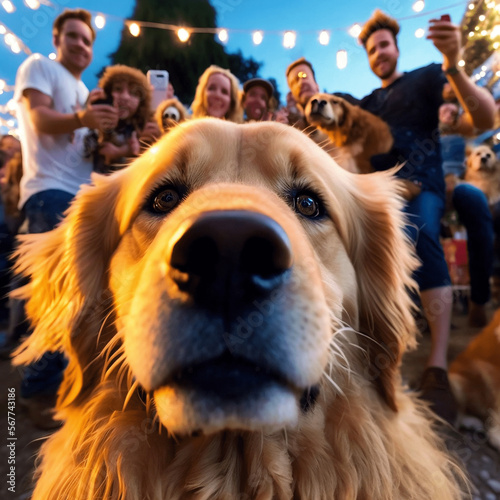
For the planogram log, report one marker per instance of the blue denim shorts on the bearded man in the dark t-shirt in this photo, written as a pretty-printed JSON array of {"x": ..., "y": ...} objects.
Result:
[{"x": 424, "y": 215}]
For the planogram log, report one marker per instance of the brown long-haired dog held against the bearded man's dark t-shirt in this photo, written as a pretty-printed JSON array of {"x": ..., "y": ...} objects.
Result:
[{"x": 358, "y": 134}]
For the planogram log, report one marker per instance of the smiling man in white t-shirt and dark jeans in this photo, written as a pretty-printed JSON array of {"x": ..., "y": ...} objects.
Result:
[{"x": 51, "y": 98}]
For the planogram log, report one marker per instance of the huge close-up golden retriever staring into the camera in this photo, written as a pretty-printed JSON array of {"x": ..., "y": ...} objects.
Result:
[{"x": 234, "y": 307}]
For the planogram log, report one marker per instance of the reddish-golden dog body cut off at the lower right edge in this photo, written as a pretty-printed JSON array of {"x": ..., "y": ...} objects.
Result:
[{"x": 475, "y": 380}]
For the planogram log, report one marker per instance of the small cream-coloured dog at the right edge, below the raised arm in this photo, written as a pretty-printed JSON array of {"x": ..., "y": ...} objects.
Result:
[{"x": 483, "y": 171}]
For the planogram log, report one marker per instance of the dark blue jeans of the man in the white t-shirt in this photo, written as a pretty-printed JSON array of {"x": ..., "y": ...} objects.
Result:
[{"x": 44, "y": 211}]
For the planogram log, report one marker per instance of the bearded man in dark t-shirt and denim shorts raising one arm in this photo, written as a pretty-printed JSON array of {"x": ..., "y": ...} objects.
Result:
[{"x": 409, "y": 103}]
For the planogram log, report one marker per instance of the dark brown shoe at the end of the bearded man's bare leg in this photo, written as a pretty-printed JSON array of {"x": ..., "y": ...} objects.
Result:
[{"x": 435, "y": 389}]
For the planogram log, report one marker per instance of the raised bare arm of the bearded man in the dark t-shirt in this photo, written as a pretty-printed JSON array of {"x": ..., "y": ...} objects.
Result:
[{"x": 478, "y": 104}]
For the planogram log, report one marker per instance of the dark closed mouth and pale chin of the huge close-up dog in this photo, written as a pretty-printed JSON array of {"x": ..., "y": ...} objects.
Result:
[{"x": 230, "y": 392}]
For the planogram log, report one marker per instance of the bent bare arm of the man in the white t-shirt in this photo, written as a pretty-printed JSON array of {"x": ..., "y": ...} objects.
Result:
[{"x": 49, "y": 121}]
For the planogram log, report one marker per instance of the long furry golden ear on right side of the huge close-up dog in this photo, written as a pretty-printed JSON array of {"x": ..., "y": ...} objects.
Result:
[{"x": 384, "y": 259}]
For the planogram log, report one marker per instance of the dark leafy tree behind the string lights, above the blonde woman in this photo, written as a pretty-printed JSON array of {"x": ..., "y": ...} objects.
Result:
[{"x": 185, "y": 62}]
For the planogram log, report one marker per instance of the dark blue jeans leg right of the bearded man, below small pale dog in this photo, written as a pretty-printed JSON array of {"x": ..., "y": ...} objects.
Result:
[{"x": 473, "y": 211}]
